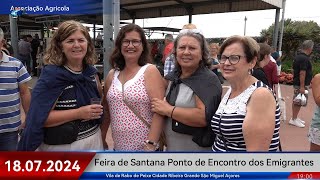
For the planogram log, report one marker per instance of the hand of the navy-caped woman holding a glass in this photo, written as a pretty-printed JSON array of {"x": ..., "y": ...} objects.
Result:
[{"x": 90, "y": 112}]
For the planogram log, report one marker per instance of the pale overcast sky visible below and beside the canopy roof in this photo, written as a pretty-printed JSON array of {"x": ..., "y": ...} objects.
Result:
[{"x": 227, "y": 24}]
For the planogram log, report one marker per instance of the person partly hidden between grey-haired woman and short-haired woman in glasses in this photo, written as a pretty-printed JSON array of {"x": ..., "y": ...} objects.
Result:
[{"x": 215, "y": 67}]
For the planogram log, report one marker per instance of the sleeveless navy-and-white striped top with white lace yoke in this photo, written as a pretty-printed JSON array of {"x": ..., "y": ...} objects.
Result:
[{"x": 231, "y": 114}]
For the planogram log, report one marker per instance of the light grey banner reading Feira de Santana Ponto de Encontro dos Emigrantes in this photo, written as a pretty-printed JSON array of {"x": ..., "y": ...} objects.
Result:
[{"x": 205, "y": 162}]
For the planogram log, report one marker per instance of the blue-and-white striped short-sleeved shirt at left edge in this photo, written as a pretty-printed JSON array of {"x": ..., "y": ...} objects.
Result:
[{"x": 12, "y": 74}]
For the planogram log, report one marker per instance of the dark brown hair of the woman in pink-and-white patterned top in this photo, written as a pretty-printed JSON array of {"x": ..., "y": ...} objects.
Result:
[{"x": 117, "y": 60}]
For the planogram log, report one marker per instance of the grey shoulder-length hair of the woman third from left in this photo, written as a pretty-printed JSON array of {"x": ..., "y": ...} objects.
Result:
[{"x": 205, "y": 56}]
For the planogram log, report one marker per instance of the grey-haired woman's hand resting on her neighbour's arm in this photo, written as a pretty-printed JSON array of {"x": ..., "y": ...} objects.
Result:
[{"x": 161, "y": 107}]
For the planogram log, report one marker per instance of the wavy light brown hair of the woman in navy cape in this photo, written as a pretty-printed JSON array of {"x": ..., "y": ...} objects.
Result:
[{"x": 54, "y": 54}]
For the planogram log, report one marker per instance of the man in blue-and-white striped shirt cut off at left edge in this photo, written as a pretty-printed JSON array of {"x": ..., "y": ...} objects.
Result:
[{"x": 14, "y": 92}]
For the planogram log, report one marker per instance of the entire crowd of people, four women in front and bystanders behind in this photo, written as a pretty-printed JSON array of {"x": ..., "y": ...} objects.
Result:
[{"x": 179, "y": 108}]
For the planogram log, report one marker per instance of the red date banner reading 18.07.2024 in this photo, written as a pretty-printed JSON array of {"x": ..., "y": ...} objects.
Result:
[{"x": 44, "y": 164}]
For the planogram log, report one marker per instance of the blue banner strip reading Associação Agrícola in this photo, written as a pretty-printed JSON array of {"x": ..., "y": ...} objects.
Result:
[{"x": 52, "y": 7}]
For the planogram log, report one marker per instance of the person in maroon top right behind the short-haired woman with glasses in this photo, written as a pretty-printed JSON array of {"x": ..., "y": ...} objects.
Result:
[{"x": 268, "y": 66}]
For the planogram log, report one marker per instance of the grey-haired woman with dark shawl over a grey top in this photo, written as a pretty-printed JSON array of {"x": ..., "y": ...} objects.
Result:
[{"x": 192, "y": 96}]
